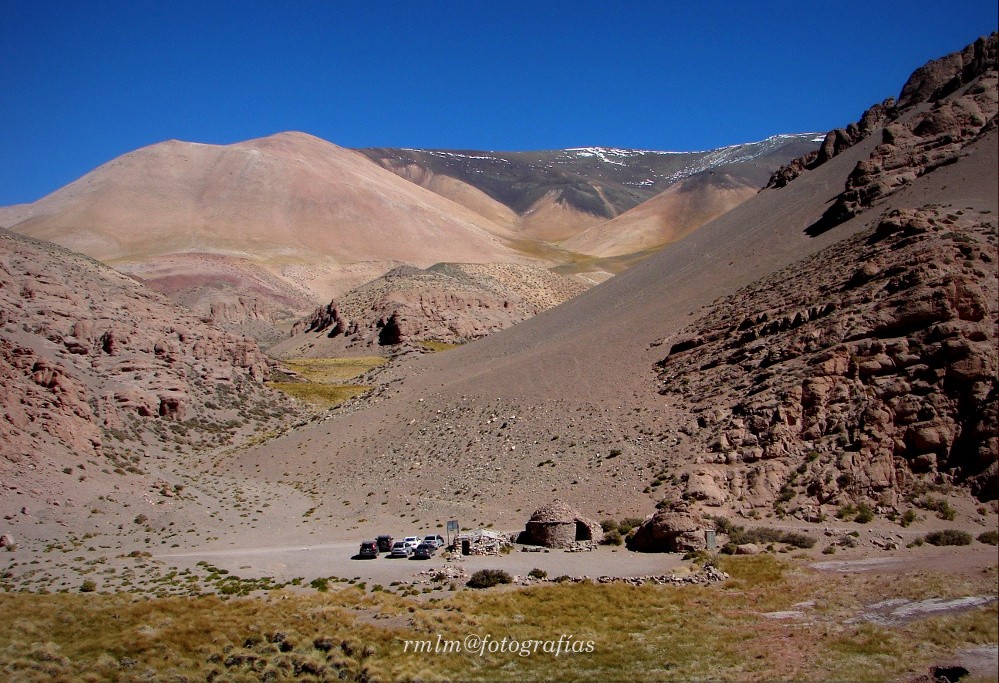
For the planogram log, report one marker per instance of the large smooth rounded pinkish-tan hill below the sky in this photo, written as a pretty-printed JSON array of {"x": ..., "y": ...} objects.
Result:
[{"x": 277, "y": 221}]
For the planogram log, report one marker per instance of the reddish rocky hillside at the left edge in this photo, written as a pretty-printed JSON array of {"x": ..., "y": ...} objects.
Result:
[{"x": 92, "y": 364}]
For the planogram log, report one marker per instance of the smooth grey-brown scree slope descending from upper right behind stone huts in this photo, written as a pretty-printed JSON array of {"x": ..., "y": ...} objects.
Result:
[{"x": 568, "y": 402}]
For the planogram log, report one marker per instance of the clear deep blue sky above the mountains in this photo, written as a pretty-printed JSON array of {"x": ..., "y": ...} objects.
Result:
[{"x": 82, "y": 82}]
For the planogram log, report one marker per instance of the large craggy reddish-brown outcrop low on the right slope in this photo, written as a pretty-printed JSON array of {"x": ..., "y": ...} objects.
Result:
[{"x": 855, "y": 373}]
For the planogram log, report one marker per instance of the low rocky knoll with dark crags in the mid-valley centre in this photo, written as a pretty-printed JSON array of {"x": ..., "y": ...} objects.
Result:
[{"x": 447, "y": 302}]
